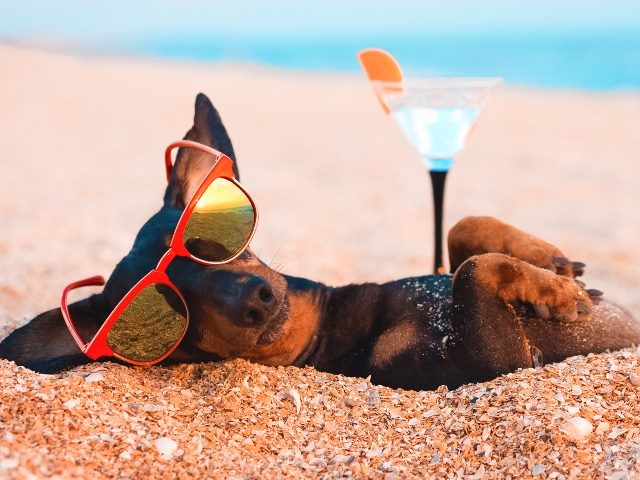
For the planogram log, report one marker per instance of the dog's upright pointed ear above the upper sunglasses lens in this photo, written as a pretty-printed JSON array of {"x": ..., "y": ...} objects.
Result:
[{"x": 191, "y": 167}]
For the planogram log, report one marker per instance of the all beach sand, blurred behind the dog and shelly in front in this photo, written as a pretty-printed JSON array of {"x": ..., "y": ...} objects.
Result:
[{"x": 342, "y": 199}]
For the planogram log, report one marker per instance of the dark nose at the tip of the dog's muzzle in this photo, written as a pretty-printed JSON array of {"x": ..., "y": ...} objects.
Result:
[{"x": 256, "y": 303}]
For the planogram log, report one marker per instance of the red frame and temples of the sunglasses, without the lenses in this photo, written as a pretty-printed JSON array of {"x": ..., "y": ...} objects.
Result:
[{"x": 98, "y": 347}]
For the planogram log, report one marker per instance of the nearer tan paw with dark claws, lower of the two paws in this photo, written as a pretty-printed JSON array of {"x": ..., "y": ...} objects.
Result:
[{"x": 566, "y": 300}]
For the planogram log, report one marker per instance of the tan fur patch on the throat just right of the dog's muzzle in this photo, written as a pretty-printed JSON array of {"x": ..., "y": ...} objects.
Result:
[{"x": 298, "y": 330}]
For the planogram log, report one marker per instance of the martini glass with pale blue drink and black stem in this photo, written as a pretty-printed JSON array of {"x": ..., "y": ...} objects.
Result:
[{"x": 436, "y": 115}]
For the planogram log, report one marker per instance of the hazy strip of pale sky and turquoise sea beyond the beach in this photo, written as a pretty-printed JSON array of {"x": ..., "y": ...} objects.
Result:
[{"x": 585, "y": 44}]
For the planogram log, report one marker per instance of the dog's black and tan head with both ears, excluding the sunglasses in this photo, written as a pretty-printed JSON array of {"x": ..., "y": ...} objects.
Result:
[{"x": 239, "y": 309}]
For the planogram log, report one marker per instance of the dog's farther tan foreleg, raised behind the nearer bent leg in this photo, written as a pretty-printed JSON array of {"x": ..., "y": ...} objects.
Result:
[{"x": 478, "y": 235}]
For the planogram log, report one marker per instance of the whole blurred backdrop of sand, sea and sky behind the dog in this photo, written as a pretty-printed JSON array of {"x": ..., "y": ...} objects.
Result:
[{"x": 91, "y": 92}]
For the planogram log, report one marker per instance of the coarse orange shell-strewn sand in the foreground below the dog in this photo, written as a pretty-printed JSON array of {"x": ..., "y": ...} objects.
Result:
[{"x": 241, "y": 420}]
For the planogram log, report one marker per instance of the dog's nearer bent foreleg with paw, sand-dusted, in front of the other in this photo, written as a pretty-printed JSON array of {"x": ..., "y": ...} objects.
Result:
[{"x": 489, "y": 336}]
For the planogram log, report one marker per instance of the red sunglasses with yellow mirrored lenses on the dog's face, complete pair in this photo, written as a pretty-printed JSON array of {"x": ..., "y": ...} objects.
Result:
[{"x": 152, "y": 318}]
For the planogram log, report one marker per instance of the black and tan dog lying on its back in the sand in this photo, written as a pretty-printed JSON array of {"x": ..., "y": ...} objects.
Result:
[{"x": 512, "y": 301}]
